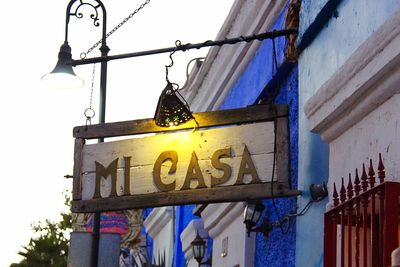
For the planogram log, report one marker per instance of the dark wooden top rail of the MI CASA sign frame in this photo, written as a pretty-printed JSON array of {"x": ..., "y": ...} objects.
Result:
[{"x": 205, "y": 119}]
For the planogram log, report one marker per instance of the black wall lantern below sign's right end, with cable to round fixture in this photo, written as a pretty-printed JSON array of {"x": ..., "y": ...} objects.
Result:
[{"x": 254, "y": 211}]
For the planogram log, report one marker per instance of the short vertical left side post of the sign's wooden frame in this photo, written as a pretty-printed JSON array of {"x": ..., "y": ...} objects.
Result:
[{"x": 77, "y": 180}]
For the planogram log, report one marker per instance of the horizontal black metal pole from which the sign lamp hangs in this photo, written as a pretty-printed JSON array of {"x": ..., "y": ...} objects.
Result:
[{"x": 184, "y": 47}]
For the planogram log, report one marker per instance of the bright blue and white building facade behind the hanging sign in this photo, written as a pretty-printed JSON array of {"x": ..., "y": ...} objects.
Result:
[{"x": 234, "y": 77}]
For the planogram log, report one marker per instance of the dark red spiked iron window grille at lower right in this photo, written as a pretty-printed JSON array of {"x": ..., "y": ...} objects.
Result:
[{"x": 362, "y": 227}]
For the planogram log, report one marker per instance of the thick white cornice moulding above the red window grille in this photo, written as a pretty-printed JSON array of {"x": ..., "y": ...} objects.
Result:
[{"x": 365, "y": 81}]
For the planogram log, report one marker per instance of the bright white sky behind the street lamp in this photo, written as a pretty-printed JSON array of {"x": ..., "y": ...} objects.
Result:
[{"x": 36, "y": 134}]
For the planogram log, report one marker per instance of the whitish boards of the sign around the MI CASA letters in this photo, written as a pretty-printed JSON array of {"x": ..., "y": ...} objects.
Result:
[{"x": 258, "y": 137}]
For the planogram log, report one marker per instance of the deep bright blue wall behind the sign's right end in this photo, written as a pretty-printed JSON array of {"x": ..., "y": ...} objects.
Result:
[{"x": 278, "y": 249}]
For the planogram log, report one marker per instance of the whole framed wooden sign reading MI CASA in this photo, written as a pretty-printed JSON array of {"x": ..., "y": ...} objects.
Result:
[{"x": 234, "y": 155}]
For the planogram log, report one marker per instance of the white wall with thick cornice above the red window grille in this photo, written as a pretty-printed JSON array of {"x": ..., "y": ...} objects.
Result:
[{"x": 356, "y": 111}]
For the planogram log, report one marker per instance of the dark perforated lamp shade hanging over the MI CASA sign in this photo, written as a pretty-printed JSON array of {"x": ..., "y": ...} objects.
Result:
[{"x": 172, "y": 109}]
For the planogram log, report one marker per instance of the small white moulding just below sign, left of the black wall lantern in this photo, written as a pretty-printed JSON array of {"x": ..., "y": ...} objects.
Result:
[{"x": 217, "y": 217}]
